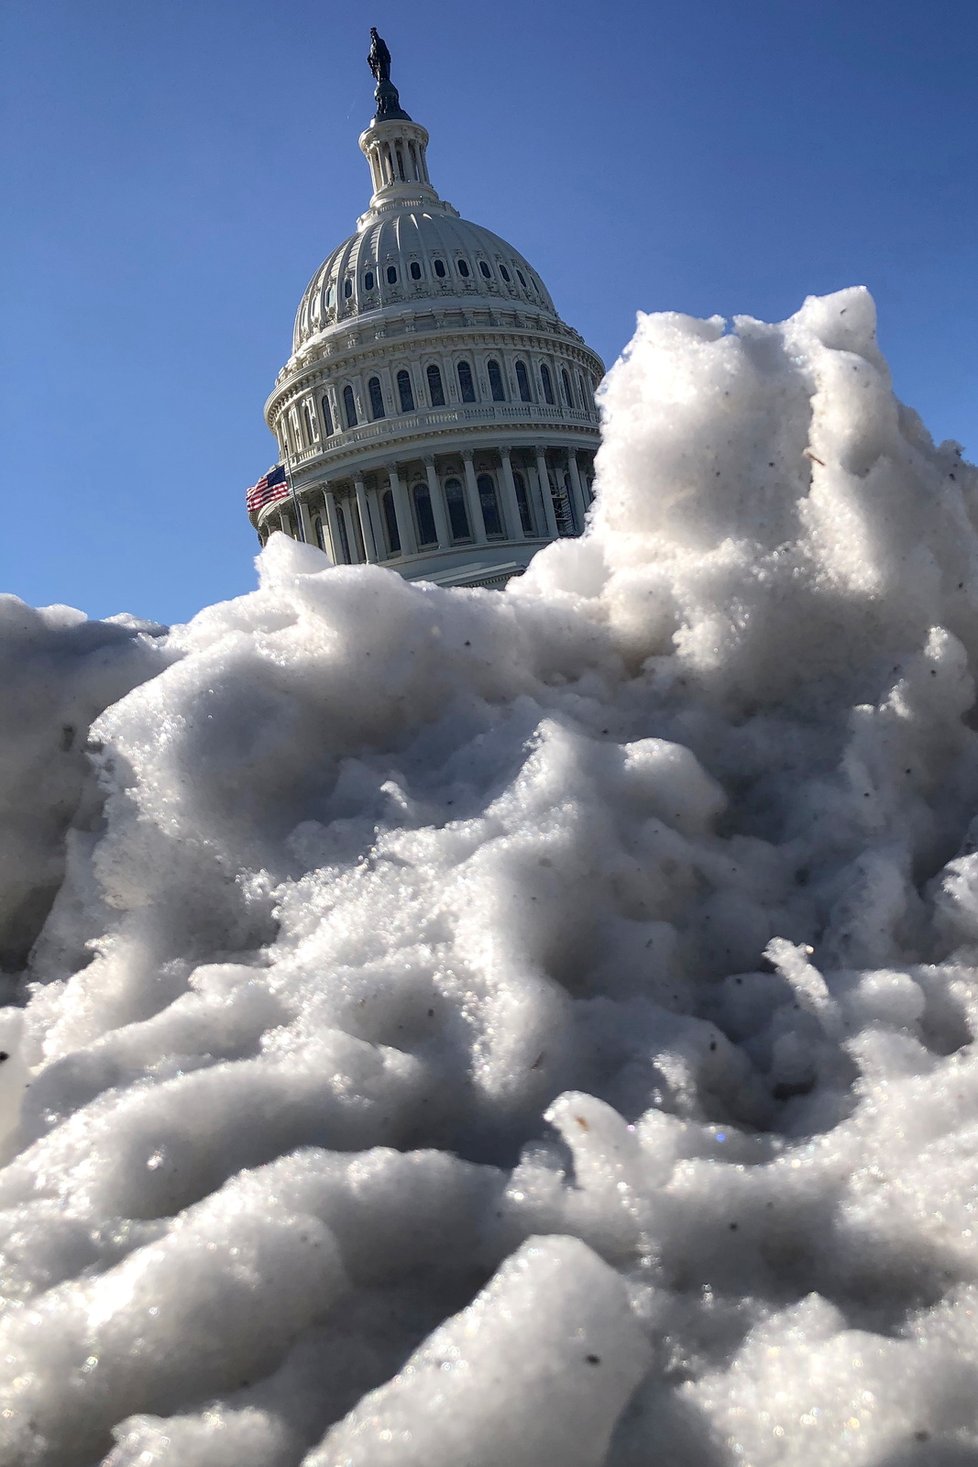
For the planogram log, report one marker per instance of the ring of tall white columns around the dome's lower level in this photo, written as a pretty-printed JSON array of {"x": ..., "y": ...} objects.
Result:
[{"x": 441, "y": 502}]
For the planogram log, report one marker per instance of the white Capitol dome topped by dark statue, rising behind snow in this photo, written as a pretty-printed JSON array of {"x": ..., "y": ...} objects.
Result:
[{"x": 436, "y": 414}]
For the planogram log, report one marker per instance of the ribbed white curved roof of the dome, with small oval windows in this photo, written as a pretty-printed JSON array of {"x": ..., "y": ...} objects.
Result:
[{"x": 408, "y": 256}]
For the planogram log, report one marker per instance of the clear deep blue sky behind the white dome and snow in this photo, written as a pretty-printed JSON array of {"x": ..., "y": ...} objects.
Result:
[{"x": 177, "y": 172}]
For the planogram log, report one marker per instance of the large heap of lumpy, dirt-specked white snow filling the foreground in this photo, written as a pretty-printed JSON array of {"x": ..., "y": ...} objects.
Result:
[{"x": 532, "y": 1029}]
